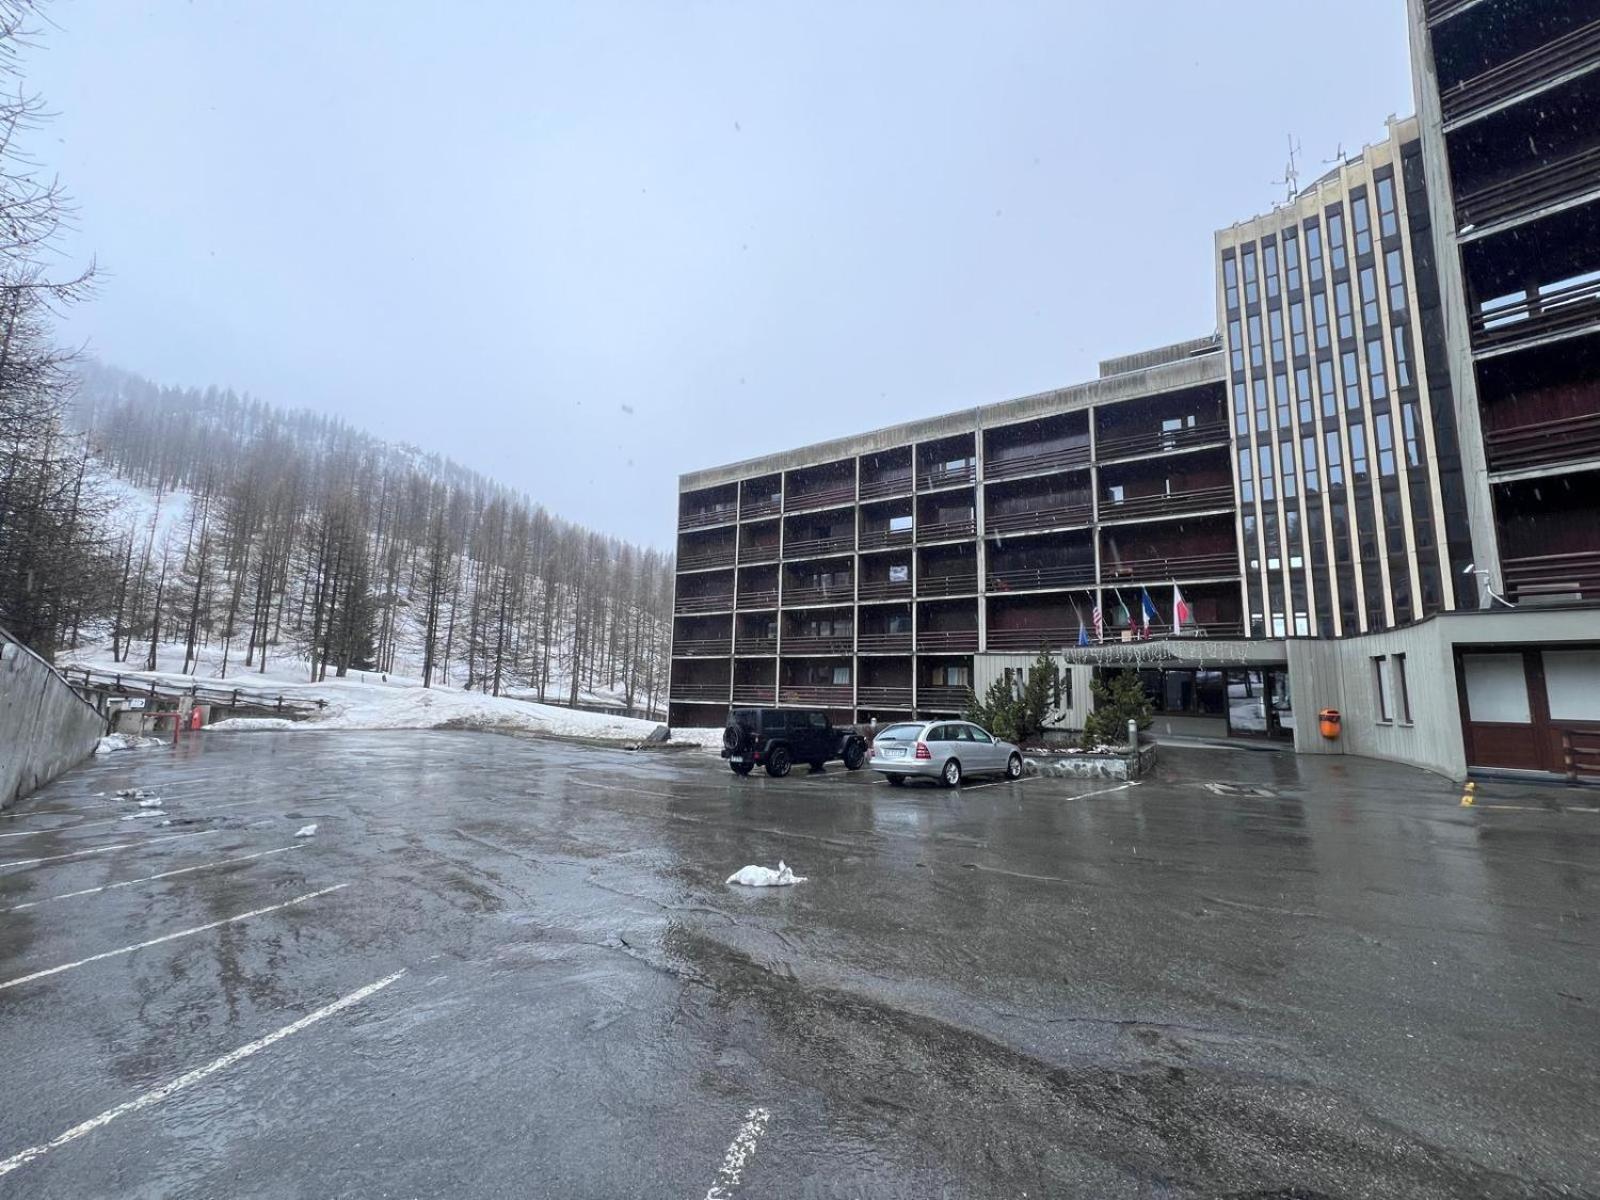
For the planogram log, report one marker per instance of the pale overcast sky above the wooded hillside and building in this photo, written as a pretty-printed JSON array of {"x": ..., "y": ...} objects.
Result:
[{"x": 586, "y": 247}]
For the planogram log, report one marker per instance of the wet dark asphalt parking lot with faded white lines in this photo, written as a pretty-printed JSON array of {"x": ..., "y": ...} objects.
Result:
[{"x": 513, "y": 969}]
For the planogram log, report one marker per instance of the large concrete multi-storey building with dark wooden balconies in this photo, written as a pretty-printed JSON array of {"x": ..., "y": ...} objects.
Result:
[{"x": 1396, "y": 425}]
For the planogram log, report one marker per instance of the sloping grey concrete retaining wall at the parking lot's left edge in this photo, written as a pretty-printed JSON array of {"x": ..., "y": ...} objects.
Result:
[{"x": 46, "y": 729}]
